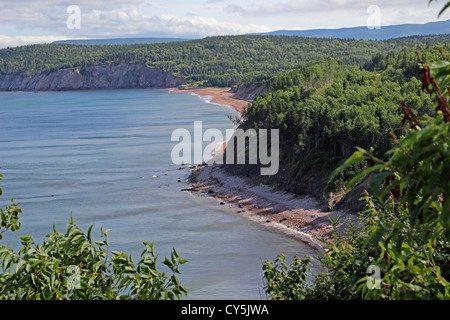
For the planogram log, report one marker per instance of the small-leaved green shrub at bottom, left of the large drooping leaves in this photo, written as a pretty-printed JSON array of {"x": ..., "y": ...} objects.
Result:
[{"x": 345, "y": 262}]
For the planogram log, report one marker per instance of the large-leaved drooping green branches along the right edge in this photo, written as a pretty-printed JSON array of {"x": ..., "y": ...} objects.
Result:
[{"x": 415, "y": 246}]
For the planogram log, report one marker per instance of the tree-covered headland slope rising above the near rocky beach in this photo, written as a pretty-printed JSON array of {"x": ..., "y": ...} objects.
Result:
[{"x": 325, "y": 109}]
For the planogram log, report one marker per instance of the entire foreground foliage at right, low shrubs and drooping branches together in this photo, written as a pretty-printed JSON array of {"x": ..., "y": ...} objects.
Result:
[{"x": 405, "y": 229}]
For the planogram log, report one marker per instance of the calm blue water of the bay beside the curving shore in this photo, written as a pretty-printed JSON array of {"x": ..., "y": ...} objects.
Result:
[{"x": 95, "y": 154}]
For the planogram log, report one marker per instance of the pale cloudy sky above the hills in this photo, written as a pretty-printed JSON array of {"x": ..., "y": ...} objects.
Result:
[{"x": 41, "y": 21}]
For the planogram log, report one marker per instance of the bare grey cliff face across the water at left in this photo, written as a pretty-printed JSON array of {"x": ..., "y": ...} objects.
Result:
[{"x": 122, "y": 76}]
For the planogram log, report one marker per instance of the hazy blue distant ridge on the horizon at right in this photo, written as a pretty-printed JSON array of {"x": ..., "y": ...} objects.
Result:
[{"x": 364, "y": 33}]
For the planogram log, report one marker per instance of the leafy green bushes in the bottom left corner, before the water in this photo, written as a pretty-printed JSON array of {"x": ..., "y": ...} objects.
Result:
[{"x": 73, "y": 266}]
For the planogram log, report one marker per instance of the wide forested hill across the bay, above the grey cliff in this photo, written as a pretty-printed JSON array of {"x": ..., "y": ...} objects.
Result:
[{"x": 216, "y": 61}]
